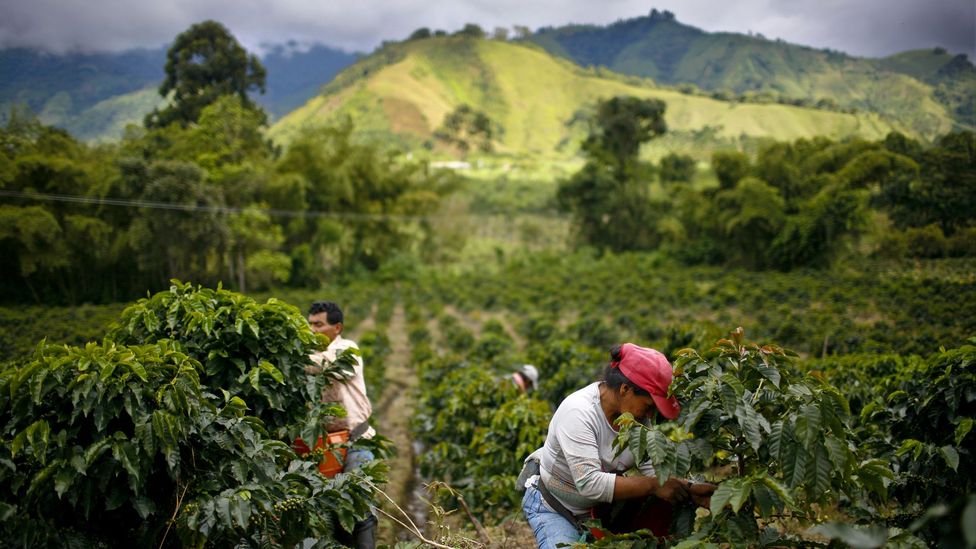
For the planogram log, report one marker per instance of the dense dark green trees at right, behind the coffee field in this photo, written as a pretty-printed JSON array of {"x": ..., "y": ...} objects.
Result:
[{"x": 803, "y": 204}]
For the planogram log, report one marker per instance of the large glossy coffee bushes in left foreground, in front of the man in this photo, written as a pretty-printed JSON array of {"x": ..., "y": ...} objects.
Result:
[{"x": 173, "y": 431}]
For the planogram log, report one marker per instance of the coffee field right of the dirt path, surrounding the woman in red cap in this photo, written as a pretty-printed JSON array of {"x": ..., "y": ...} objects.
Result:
[{"x": 864, "y": 448}]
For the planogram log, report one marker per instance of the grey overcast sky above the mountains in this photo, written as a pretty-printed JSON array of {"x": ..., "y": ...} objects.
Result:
[{"x": 859, "y": 27}]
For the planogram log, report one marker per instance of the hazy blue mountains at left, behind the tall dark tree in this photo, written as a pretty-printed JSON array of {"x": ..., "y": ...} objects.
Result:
[{"x": 94, "y": 95}]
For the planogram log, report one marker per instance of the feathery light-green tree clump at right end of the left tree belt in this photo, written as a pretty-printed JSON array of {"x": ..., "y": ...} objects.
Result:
[{"x": 367, "y": 194}]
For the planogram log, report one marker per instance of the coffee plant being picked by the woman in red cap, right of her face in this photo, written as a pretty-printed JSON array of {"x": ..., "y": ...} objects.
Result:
[{"x": 782, "y": 438}]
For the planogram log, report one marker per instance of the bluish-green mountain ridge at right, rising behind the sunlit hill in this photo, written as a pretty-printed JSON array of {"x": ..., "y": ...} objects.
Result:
[{"x": 660, "y": 47}]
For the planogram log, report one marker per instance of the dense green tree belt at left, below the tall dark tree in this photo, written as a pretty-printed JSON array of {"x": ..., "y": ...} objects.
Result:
[{"x": 97, "y": 224}]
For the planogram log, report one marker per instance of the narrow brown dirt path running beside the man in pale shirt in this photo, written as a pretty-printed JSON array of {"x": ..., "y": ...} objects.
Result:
[{"x": 393, "y": 411}]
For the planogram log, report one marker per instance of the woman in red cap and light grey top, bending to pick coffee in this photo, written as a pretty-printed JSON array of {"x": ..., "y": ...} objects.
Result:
[{"x": 577, "y": 467}]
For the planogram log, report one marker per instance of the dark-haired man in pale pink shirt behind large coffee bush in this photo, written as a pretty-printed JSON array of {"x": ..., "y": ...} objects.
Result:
[{"x": 325, "y": 317}]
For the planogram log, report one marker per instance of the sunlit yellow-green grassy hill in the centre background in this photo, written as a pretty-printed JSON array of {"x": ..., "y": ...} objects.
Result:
[{"x": 404, "y": 91}]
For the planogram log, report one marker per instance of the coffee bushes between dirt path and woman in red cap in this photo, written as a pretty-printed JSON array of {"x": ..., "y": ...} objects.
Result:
[{"x": 472, "y": 421}]
